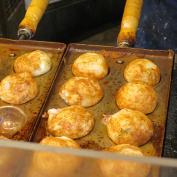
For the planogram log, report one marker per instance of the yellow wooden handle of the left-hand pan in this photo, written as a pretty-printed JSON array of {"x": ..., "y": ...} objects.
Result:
[{"x": 34, "y": 13}]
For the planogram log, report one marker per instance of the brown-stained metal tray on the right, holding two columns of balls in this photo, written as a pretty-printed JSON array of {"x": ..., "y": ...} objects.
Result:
[{"x": 98, "y": 138}]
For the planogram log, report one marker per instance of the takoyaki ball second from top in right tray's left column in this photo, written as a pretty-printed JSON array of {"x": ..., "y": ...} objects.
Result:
[{"x": 81, "y": 91}]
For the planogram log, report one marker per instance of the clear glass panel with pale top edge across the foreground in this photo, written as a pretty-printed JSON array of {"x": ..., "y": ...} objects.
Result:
[{"x": 33, "y": 160}]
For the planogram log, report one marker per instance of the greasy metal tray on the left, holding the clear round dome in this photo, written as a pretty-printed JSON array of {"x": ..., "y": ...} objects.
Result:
[{"x": 9, "y": 50}]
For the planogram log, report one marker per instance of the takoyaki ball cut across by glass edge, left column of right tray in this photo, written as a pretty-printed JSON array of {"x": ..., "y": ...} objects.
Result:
[{"x": 55, "y": 164}]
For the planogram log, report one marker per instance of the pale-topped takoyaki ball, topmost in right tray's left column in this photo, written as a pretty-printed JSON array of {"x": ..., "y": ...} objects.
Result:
[{"x": 90, "y": 65}]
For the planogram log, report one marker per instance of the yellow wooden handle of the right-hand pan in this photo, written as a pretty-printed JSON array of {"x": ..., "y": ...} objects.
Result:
[{"x": 130, "y": 21}]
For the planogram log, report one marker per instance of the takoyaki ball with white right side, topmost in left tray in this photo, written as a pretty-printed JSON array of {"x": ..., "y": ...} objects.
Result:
[{"x": 37, "y": 63}]
